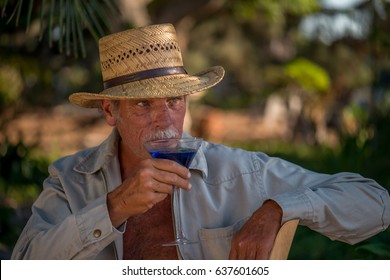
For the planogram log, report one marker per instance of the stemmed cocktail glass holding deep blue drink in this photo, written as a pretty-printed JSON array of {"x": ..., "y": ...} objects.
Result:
[{"x": 182, "y": 151}]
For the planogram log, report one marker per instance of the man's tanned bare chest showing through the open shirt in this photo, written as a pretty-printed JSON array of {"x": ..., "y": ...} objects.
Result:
[{"x": 146, "y": 232}]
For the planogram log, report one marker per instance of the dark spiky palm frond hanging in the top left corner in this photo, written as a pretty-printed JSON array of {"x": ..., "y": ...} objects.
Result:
[{"x": 64, "y": 21}]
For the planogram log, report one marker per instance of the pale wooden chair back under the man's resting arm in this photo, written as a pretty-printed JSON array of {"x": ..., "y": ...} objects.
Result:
[{"x": 284, "y": 240}]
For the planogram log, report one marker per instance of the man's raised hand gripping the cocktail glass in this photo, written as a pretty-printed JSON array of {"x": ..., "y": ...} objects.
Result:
[{"x": 146, "y": 186}]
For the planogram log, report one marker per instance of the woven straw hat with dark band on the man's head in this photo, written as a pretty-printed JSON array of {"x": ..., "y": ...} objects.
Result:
[{"x": 145, "y": 63}]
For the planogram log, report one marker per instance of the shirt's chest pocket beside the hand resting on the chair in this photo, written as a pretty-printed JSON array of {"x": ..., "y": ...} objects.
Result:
[{"x": 216, "y": 242}]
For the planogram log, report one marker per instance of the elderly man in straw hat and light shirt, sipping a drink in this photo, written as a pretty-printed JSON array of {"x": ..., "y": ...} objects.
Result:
[{"x": 113, "y": 201}]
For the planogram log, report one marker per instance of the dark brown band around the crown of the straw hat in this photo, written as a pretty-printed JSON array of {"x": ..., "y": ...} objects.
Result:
[{"x": 142, "y": 75}]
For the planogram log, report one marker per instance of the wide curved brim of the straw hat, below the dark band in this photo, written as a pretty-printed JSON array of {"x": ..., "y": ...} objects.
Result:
[{"x": 158, "y": 87}]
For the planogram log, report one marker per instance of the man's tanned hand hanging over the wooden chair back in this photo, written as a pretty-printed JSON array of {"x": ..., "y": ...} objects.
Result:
[{"x": 255, "y": 240}]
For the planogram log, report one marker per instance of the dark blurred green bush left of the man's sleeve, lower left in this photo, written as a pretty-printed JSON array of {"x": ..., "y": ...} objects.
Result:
[{"x": 22, "y": 172}]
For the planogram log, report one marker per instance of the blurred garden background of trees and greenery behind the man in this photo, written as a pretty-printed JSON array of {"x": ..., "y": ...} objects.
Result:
[{"x": 306, "y": 80}]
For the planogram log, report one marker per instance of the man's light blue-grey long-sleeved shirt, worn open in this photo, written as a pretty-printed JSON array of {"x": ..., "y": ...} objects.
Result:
[{"x": 70, "y": 218}]
